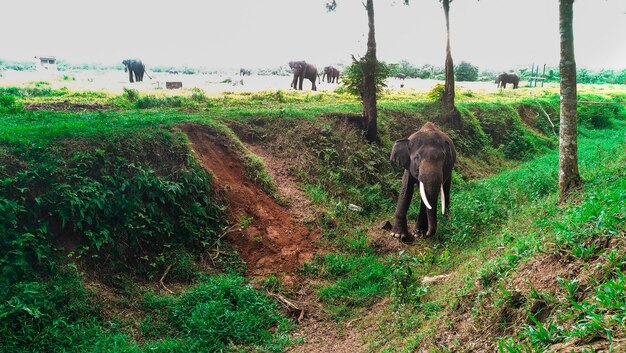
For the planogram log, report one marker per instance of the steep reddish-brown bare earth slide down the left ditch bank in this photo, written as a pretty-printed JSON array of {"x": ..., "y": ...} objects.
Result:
[{"x": 273, "y": 243}]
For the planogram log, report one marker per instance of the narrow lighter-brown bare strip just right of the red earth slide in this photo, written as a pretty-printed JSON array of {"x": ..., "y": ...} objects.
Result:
[{"x": 300, "y": 206}]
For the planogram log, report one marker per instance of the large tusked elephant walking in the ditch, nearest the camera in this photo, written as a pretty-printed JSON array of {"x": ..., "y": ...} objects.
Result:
[{"x": 428, "y": 157}]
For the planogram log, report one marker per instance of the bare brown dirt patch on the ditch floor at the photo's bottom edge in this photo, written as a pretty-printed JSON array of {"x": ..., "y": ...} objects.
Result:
[{"x": 326, "y": 336}]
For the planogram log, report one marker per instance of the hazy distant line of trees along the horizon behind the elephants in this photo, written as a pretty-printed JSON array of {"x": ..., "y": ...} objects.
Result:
[{"x": 463, "y": 71}]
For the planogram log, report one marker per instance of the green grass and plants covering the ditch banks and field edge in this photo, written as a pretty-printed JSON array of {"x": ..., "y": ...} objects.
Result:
[{"x": 110, "y": 199}]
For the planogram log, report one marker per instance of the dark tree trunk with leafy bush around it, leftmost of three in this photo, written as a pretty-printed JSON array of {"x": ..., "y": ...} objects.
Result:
[{"x": 370, "y": 111}]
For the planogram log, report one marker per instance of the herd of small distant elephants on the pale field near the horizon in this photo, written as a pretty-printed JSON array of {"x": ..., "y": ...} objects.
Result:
[{"x": 301, "y": 71}]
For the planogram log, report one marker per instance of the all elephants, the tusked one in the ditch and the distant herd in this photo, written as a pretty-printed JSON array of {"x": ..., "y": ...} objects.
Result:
[{"x": 427, "y": 156}]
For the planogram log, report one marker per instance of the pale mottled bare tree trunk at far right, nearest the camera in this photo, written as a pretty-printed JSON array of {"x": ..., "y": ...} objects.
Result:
[{"x": 569, "y": 179}]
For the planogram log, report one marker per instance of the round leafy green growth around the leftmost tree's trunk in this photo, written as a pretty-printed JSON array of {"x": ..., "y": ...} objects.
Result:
[{"x": 352, "y": 76}]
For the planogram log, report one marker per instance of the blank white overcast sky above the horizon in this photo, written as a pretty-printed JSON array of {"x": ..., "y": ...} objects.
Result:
[{"x": 493, "y": 34}]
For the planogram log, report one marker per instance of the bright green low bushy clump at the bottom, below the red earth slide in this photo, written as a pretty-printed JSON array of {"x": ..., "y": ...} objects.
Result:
[{"x": 218, "y": 314}]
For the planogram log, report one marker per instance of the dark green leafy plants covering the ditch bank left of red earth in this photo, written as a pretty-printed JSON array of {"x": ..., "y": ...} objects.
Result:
[{"x": 137, "y": 213}]
